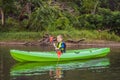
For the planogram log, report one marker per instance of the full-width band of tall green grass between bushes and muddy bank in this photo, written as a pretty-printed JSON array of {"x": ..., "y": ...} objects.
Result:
[{"x": 72, "y": 34}]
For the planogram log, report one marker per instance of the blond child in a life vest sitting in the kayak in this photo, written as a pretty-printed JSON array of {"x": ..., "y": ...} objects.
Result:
[{"x": 60, "y": 45}]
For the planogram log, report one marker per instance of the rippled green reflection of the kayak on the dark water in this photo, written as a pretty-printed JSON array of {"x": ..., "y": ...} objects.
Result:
[{"x": 39, "y": 68}]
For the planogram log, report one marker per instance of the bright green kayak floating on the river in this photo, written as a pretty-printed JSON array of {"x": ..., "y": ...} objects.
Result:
[{"x": 25, "y": 56}]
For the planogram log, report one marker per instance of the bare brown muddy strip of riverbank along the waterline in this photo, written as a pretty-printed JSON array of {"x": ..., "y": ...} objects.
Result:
[{"x": 84, "y": 43}]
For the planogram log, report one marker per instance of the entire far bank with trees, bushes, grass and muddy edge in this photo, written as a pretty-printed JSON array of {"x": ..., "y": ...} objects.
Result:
[{"x": 79, "y": 21}]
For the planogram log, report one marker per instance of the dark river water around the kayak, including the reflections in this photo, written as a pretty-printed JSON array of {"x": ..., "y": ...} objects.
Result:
[{"x": 107, "y": 68}]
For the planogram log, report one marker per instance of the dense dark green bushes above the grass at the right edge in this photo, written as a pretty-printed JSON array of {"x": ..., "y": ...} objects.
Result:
[{"x": 104, "y": 19}]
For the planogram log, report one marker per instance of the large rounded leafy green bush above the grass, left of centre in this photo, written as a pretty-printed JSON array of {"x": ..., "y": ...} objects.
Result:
[{"x": 49, "y": 18}]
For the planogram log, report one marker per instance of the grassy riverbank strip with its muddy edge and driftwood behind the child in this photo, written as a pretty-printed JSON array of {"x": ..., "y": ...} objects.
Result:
[{"x": 74, "y": 37}]
